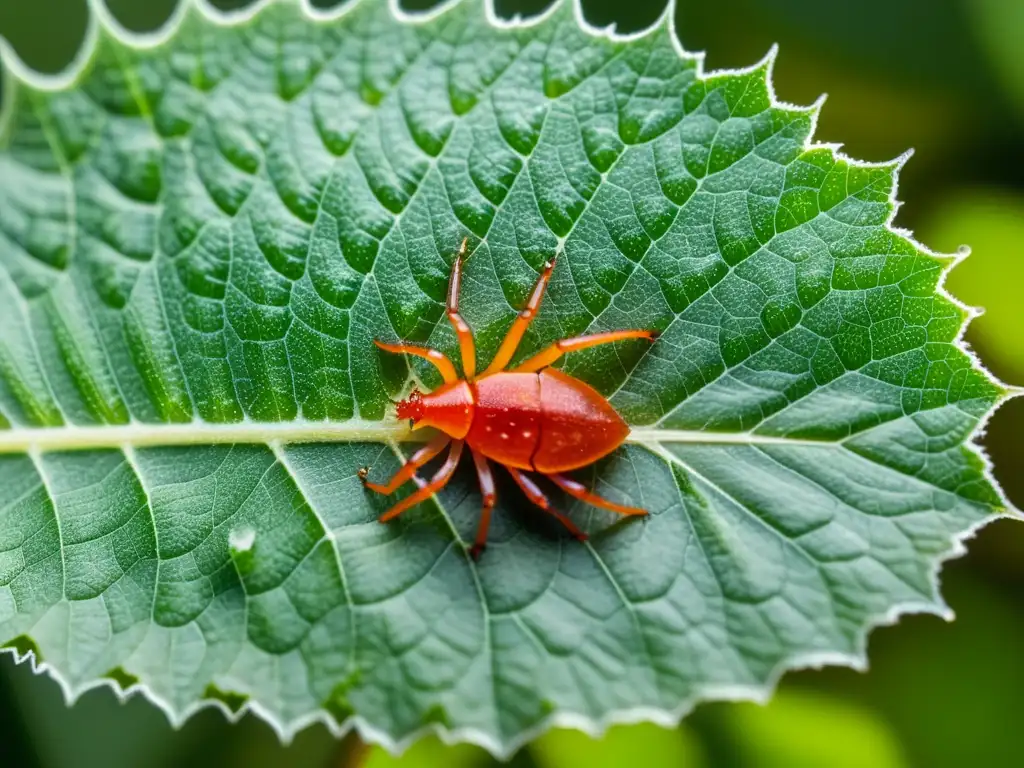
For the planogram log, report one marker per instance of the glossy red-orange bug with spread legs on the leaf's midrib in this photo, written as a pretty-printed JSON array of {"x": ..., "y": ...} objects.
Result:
[{"x": 532, "y": 418}]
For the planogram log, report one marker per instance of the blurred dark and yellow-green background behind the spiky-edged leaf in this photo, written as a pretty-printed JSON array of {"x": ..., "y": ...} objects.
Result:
[{"x": 946, "y": 77}]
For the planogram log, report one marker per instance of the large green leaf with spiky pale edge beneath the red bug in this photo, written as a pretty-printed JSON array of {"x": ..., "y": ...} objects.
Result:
[{"x": 202, "y": 233}]
